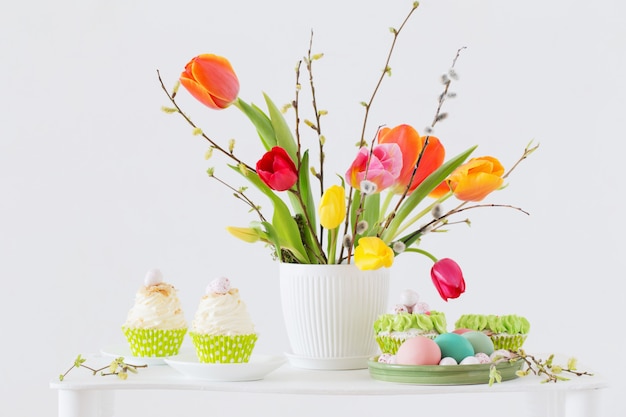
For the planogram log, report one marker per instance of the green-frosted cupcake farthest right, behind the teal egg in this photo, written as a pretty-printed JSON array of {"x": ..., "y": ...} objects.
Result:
[{"x": 506, "y": 332}]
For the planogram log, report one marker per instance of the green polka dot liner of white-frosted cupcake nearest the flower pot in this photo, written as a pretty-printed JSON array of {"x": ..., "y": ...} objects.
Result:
[{"x": 223, "y": 349}]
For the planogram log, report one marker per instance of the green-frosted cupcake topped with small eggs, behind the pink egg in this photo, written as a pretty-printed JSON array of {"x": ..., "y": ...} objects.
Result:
[{"x": 408, "y": 319}]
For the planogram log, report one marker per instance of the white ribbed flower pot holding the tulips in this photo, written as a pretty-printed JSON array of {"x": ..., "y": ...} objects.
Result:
[{"x": 329, "y": 312}]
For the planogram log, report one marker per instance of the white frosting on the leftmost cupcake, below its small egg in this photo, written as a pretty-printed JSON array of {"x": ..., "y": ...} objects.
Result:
[{"x": 156, "y": 307}]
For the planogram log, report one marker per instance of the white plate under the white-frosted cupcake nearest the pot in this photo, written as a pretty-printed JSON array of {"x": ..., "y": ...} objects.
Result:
[{"x": 256, "y": 368}]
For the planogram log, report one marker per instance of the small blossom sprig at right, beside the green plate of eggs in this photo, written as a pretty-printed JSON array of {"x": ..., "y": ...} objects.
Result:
[{"x": 537, "y": 366}]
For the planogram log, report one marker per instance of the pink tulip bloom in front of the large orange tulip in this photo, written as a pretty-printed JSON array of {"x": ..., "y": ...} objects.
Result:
[{"x": 384, "y": 166}]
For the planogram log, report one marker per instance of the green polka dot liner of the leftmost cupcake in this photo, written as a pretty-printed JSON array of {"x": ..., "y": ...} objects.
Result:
[{"x": 154, "y": 342}]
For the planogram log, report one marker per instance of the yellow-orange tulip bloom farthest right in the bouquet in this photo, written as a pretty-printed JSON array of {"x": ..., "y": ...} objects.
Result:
[{"x": 476, "y": 179}]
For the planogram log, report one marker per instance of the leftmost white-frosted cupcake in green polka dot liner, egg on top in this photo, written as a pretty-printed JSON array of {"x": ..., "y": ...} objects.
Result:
[{"x": 155, "y": 325}]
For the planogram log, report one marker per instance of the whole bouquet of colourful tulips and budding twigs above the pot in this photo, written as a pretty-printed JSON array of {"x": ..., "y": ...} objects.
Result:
[{"x": 389, "y": 197}]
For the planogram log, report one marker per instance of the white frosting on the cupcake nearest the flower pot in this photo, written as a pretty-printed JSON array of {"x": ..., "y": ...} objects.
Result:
[{"x": 222, "y": 314}]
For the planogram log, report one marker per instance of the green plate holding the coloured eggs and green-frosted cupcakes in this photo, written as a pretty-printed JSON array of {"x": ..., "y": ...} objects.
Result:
[{"x": 441, "y": 374}]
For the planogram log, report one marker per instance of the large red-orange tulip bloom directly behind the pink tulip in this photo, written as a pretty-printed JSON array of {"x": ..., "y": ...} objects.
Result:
[{"x": 411, "y": 144}]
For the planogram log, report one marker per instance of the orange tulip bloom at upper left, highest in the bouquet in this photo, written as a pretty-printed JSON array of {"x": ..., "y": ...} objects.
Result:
[{"x": 211, "y": 80}]
